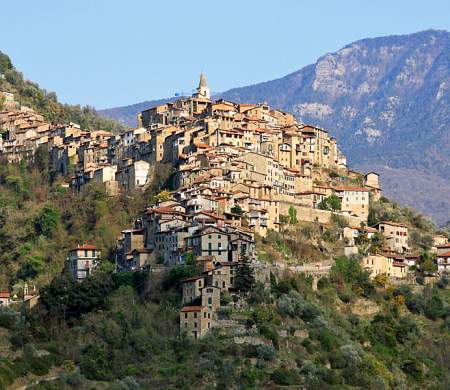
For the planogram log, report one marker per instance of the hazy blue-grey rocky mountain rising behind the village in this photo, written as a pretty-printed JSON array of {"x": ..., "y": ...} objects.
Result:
[{"x": 387, "y": 101}]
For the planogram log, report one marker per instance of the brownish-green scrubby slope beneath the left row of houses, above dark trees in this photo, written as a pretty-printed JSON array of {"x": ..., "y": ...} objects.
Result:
[{"x": 40, "y": 221}]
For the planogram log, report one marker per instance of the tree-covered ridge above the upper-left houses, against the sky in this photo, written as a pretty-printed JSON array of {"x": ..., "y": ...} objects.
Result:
[{"x": 46, "y": 103}]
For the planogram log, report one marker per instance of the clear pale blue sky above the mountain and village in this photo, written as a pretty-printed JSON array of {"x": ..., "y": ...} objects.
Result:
[{"x": 109, "y": 52}]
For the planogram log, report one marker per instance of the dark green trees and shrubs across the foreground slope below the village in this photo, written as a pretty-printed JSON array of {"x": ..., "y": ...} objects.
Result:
[{"x": 121, "y": 331}]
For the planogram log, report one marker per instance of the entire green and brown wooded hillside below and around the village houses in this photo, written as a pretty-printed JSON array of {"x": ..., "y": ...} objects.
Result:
[{"x": 120, "y": 331}]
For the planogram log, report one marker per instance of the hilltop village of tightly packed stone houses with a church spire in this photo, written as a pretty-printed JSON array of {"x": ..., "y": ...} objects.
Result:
[{"x": 240, "y": 172}]
